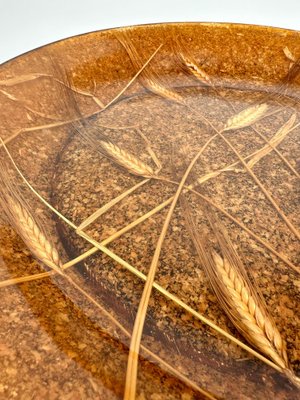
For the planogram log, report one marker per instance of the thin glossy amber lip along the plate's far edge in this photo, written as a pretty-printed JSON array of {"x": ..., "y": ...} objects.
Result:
[{"x": 151, "y": 24}]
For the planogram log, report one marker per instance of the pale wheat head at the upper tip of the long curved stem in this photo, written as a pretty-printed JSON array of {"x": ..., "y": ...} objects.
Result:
[{"x": 246, "y": 117}]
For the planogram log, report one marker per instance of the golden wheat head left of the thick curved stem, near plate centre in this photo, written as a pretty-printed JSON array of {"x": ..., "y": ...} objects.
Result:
[{"x": 127, "y": 160}]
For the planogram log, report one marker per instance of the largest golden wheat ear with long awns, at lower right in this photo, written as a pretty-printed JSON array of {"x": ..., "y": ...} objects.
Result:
[{"x": 239, "y": 298}]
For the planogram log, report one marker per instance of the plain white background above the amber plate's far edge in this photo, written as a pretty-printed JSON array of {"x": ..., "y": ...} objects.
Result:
[{"x": 27, "y": 24}]
